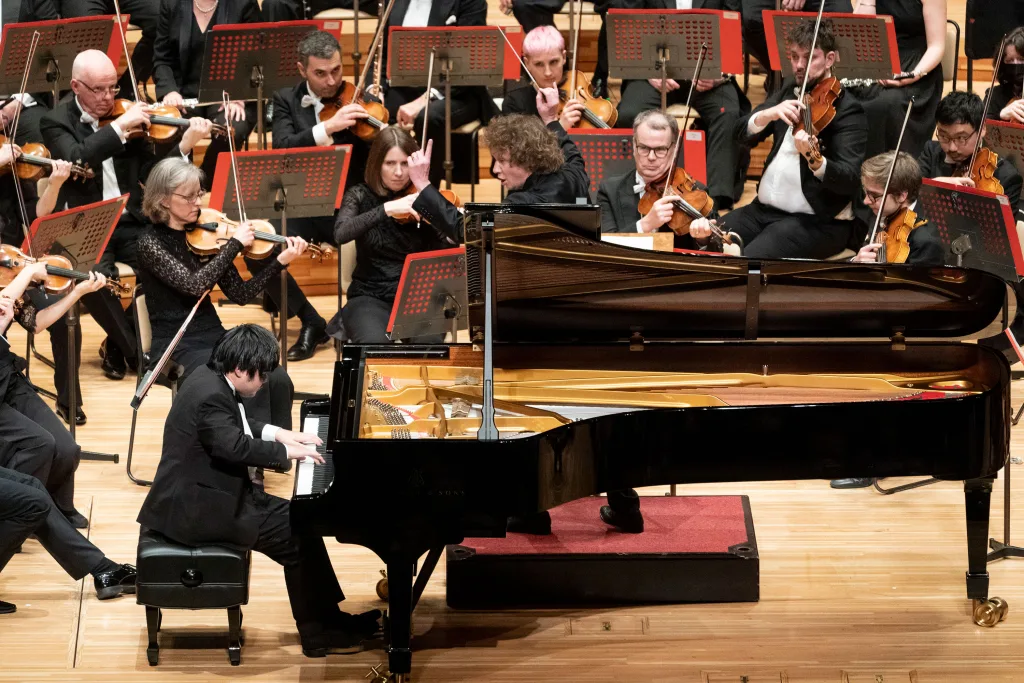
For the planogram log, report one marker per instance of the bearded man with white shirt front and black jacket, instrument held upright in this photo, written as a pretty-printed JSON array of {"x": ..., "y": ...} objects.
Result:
[{"x": 803, "y": 207}]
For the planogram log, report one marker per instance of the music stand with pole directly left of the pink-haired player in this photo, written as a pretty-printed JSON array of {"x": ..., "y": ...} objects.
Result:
[{"x": 464, "y": 57}]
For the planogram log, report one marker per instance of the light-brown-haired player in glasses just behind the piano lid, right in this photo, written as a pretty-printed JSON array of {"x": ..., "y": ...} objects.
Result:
[{"x": 926, "y": 247}]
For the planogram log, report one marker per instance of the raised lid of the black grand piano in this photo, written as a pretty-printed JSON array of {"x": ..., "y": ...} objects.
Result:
[{"x": 556, "y": 284}]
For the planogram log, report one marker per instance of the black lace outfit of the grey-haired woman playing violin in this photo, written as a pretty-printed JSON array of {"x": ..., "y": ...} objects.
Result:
[{"x": 174, "y": 279}]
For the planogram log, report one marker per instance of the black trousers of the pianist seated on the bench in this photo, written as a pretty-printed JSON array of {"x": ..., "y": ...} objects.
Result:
[{"x": 313, "y": 587}]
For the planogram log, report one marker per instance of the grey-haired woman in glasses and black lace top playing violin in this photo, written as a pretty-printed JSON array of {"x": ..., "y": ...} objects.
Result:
[{"x": 175, "y": 278}]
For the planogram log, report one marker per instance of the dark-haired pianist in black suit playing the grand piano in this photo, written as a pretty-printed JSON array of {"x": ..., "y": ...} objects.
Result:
[{"x": 204, "y": 491}]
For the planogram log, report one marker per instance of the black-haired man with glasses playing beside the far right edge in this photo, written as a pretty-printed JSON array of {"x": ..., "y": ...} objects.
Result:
[{"x": 958, "y": 126}]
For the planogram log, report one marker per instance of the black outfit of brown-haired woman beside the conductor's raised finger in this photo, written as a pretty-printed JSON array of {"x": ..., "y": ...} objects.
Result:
[{"x": 381, "y": 247}]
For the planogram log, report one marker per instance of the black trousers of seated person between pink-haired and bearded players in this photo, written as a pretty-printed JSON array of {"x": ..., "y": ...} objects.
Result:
[{"x": 719, "y": 110}]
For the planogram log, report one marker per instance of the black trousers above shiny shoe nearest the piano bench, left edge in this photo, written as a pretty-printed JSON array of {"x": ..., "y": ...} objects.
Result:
[{"x": 25, "y": 509}]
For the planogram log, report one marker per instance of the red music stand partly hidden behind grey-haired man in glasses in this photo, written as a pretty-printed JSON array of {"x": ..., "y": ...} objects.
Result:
[{"x": 610, "y": 152}]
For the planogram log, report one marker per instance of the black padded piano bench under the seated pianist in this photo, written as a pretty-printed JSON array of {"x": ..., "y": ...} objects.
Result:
[{"x": 177, "y": 577}]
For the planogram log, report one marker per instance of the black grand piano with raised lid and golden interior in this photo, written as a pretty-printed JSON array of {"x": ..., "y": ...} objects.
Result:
[{"x": 599, "y": 367}]
